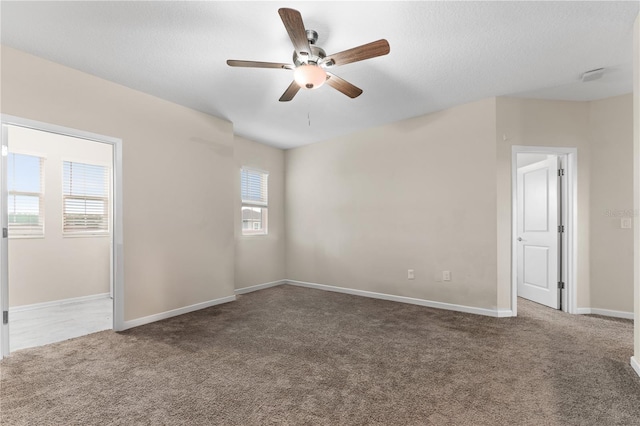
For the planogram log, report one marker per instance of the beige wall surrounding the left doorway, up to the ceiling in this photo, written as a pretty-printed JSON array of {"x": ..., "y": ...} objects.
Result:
[{"x": 178, "y": 177}]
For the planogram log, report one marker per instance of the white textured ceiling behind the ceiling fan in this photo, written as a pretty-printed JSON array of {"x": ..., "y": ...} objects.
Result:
[{"x": 442, "y": 54}]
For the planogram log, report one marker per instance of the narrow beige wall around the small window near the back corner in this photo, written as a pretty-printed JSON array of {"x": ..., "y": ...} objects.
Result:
[{"x": 260, "y": 258}]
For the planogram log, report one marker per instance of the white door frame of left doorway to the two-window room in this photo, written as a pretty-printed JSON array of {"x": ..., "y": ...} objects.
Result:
[{"x": 117, "y": 247}]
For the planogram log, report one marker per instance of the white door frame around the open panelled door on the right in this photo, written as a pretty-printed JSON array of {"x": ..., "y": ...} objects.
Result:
[{"x": 569, "y": 220}]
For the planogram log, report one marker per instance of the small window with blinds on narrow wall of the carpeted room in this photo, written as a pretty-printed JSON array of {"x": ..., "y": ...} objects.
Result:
[{"x": 253, "y": 185}]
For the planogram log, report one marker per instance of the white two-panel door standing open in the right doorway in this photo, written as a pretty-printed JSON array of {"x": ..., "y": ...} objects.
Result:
[{"x": 537, "y": 236}]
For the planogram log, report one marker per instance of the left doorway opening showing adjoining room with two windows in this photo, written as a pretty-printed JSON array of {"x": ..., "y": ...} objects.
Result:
[{"x": 61, "y": 251}]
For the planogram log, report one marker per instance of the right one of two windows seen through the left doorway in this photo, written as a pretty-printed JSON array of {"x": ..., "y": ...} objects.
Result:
[{"x": 85, "y": 191}]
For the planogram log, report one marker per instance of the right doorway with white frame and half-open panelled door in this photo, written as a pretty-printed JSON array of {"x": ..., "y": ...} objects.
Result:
[{"x": 544, "y": 217}]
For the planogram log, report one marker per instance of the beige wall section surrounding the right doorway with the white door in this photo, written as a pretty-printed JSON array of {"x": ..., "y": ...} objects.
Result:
[{"x": 534, "y": 122}]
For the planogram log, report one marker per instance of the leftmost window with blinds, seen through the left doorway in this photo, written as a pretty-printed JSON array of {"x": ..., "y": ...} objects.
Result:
[{"x": 26, "y": 195}]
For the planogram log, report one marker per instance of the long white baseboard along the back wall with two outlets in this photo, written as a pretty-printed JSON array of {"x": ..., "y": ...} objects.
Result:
[{"x": 404, "y": 299}]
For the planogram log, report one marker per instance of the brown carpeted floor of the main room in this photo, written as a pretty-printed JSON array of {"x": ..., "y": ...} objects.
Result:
[{"x": 290, "y": 355}]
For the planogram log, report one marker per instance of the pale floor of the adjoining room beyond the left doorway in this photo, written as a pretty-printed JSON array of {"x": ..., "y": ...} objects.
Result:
[{"x": 37, "y": 327}]
